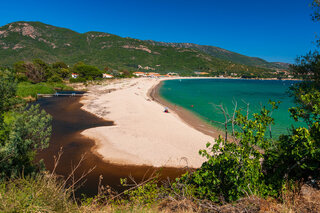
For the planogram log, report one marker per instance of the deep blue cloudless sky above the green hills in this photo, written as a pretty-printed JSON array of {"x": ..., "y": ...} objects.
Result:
[{"x": 275, "y": 30}]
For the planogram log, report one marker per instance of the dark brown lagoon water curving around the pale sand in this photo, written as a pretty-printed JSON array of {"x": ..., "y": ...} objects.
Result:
[{"x": 68, "y": 122}]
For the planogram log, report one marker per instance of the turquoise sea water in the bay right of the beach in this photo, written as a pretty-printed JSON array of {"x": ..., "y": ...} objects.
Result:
[{"x": 201, "y": 96}]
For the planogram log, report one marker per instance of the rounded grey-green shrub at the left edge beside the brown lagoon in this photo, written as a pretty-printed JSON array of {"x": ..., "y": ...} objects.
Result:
[{"x": 28, "y": 130}]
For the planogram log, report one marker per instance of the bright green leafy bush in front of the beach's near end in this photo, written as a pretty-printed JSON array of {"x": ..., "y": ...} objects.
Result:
[{"x": 233, "y": 169}]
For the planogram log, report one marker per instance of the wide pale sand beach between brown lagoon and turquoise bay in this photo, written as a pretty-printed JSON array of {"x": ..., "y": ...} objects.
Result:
[{"x": 143, "y": 134}]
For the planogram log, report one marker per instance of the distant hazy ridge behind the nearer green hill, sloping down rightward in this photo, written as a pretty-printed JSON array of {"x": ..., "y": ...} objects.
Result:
[{"x": 226, "y": 55}]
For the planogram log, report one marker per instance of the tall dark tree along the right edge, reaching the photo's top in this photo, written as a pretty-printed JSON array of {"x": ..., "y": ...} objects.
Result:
[{"x": 296, "y": 156}]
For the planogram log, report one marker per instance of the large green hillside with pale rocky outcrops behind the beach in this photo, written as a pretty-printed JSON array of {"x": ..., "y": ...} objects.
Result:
[{"x": 29, "y": 40}]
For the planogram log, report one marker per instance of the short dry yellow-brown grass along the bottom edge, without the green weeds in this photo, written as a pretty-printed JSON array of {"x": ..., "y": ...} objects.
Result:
[{"x": 46, "y": 194}]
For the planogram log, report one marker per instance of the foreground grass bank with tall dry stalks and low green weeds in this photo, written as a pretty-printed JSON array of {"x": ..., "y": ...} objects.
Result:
[{"x": 48, "y": 193}]
